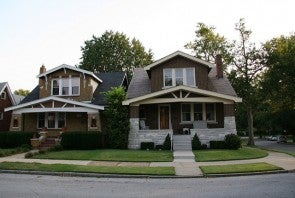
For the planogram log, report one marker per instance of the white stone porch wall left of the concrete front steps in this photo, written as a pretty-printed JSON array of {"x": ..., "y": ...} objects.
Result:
[{"x": 137, "y": 136}]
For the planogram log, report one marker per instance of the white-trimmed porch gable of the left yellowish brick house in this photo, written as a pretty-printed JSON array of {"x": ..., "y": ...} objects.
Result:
[{"x": 76, "y": 106}]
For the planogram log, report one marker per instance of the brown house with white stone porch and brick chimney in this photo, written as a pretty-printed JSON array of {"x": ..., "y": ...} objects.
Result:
[{"x": 180, "y": 94}]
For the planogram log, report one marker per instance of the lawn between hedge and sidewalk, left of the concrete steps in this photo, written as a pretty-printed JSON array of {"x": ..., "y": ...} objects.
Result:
[{"x": 110, "y": 155}]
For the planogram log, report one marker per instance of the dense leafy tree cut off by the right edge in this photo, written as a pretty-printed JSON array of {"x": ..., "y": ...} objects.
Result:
[{"x": 277, "y": 85}]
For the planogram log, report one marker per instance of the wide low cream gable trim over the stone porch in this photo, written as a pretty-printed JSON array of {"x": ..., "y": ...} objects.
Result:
[{"x": 184, "y": 88}]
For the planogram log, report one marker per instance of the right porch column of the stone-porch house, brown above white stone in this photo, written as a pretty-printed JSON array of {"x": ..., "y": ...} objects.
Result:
[{"x": 229, "y": 118}]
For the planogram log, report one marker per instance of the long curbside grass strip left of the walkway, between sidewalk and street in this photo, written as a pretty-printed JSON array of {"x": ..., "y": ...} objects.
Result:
[{"x": 87, "y": 169}]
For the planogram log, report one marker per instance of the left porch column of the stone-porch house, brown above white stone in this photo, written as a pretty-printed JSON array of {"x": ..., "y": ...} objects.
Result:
[{"x": 133, "y": 139}]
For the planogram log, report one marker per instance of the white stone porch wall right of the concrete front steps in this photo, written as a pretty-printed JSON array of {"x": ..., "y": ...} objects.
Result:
[{"x": 206, "y": 135}]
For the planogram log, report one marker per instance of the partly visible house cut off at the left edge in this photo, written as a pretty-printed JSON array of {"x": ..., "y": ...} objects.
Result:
[{"x": 7, "y": 99}]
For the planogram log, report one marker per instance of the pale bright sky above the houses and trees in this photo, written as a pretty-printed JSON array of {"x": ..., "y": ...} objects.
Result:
[{"x": 51, "y": 32}]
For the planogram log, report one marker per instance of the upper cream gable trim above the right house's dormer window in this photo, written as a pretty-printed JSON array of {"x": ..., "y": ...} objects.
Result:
[{"x": 178, "y": 53}]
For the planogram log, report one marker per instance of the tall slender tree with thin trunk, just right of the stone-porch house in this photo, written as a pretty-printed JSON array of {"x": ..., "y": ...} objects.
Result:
[{"x": 247, "y": 62}]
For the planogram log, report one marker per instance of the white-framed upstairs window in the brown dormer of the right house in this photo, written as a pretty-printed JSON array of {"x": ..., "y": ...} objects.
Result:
[{"x": 179, "y": 76}]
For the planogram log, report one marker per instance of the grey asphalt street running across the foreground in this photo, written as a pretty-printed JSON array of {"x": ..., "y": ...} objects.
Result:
[{"x": 276, "y": 185}]
